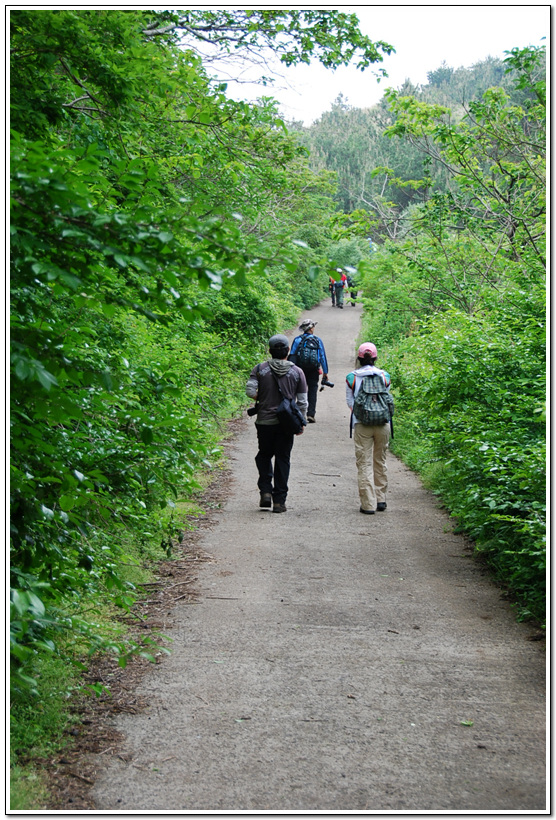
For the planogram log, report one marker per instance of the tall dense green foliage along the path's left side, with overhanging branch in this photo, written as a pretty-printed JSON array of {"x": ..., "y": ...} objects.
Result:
[{"x": 160, "y": 233}]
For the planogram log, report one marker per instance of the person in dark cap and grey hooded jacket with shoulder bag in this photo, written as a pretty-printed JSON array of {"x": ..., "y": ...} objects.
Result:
[{"x": 268, "y": 384}]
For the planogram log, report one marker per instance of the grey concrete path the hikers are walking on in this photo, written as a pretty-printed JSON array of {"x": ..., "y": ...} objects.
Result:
[{"x": 336, "y": 662}]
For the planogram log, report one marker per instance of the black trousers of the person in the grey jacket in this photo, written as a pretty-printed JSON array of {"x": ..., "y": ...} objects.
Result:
[{"x": 277, "y": 445}]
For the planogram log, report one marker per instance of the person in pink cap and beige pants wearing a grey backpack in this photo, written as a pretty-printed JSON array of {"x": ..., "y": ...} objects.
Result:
[{"x": 368, "y": 397}]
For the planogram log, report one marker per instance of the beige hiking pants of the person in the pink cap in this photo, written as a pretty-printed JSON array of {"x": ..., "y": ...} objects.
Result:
[{"x": 371, "y": 446}]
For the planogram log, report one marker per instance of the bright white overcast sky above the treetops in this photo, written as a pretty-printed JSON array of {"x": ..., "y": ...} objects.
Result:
[{"x": 423, "y": 37}]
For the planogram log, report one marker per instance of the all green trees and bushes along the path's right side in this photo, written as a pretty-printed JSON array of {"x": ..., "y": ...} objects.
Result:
[{"x": 457, "y": 304}]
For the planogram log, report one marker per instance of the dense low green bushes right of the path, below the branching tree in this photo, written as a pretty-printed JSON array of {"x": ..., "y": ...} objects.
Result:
[{"x": 470, "y": 395}]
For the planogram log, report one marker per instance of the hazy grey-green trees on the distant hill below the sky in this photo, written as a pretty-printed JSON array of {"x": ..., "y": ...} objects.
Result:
[{"x": 385, "y": 176}]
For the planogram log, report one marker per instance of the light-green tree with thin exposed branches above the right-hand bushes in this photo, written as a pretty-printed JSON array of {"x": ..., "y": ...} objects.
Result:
[{"x": 496, "y": 158}]
